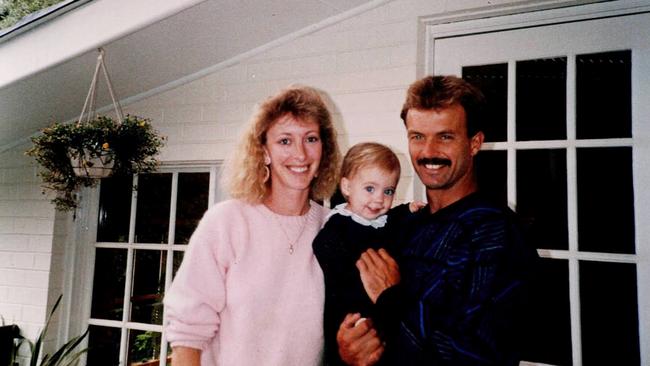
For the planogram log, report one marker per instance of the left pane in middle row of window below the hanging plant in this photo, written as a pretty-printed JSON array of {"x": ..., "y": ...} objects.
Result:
[{"x": 108, "y": 284}]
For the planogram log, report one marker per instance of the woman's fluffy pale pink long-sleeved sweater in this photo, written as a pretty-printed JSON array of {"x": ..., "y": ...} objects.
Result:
[{"x": 241, "y": 297}]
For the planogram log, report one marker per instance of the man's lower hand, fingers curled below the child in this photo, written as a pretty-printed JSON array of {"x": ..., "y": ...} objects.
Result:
[{"x": 359, "y": 344}]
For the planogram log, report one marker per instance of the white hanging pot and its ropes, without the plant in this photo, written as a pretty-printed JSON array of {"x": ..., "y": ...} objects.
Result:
[{"x": 98, "y": 163}]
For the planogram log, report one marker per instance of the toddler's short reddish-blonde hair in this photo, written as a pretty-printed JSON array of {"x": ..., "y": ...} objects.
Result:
[{"x": 366, "y": 154}]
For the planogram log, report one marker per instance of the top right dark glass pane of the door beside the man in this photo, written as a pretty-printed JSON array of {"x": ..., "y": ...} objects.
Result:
[{"x": 604, "y": 79}]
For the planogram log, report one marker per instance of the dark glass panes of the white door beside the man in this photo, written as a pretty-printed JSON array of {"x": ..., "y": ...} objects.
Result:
[{"x": 541, "y": 197}]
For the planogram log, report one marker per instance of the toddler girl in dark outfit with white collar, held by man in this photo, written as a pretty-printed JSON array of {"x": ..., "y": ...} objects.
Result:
[{"x": 369, "y": 177}]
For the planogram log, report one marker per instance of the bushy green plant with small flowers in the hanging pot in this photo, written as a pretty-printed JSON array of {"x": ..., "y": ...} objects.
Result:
[{"x": 76, "y": 155}]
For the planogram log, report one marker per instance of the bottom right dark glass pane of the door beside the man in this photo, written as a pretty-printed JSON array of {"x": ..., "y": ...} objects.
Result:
[{"x": 608, "y": 304}]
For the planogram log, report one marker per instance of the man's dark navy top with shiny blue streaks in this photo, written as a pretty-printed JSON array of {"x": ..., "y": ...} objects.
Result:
[{"x": 465, "y": 271}]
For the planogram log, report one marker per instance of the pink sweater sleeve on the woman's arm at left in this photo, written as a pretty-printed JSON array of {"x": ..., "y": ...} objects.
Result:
[{"x": 197, "y": 294}]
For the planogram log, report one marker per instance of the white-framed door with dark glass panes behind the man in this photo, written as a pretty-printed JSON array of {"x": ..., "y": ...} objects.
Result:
[{"x": 569, "y": 141}]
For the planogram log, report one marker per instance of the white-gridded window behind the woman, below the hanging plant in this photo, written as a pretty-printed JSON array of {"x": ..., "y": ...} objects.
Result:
[{"x": 141, "y": 237}]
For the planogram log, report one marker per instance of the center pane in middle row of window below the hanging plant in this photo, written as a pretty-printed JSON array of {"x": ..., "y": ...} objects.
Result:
[{"x": 148, "y": 286}]
